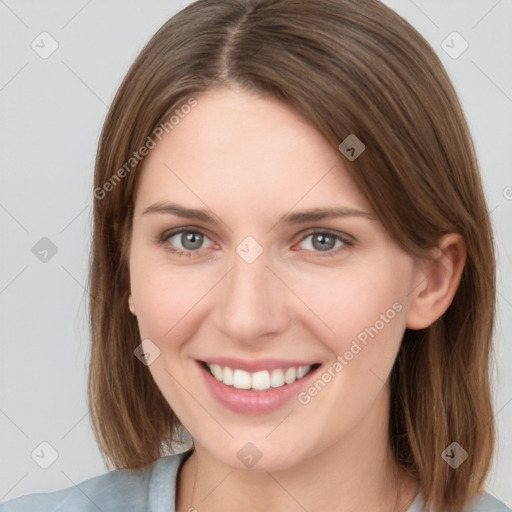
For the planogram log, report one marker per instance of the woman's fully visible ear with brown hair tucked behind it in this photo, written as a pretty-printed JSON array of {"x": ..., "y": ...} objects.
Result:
[{"x": 438, "y": 281}]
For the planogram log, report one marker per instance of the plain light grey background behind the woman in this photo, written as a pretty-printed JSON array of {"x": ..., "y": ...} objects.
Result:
[{"x": 52, "y": 112}]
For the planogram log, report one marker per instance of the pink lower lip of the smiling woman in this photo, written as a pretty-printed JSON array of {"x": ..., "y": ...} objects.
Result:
[{"x": 254, "y": 402}]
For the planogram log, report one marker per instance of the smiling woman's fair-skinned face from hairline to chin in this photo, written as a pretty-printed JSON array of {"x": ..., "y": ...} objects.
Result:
[{"x": 253, "y": 286}]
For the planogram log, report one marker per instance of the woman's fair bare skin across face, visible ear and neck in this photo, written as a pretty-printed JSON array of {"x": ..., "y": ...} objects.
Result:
[{"x": 249, "y": 160}]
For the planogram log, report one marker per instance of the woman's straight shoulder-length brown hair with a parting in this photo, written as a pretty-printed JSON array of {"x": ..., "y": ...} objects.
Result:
[{"x": 350, "y": 68}]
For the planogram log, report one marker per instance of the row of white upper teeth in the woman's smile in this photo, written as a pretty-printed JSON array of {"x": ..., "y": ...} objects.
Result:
[{"x": 257, "y": 381}]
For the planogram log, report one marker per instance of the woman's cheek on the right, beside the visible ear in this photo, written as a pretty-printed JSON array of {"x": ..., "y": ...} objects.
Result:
[{"x": 358, "y": 307}]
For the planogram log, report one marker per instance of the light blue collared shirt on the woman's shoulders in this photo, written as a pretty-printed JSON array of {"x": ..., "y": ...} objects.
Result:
[{"x": 151, "y": 489}]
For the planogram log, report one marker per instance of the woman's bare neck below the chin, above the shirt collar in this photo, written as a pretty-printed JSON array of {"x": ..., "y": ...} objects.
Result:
[{"x": 357, "y": 472}]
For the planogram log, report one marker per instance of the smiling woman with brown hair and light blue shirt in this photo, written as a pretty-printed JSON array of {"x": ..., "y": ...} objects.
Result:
[{"x": 293, "y": 263}]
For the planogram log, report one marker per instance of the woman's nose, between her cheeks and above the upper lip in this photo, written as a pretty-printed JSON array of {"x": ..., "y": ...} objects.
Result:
[{"x": 251, "y": 303}]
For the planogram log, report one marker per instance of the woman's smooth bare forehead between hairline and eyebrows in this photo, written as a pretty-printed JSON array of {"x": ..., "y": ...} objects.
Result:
[{"x": 240, "y": 148}]
